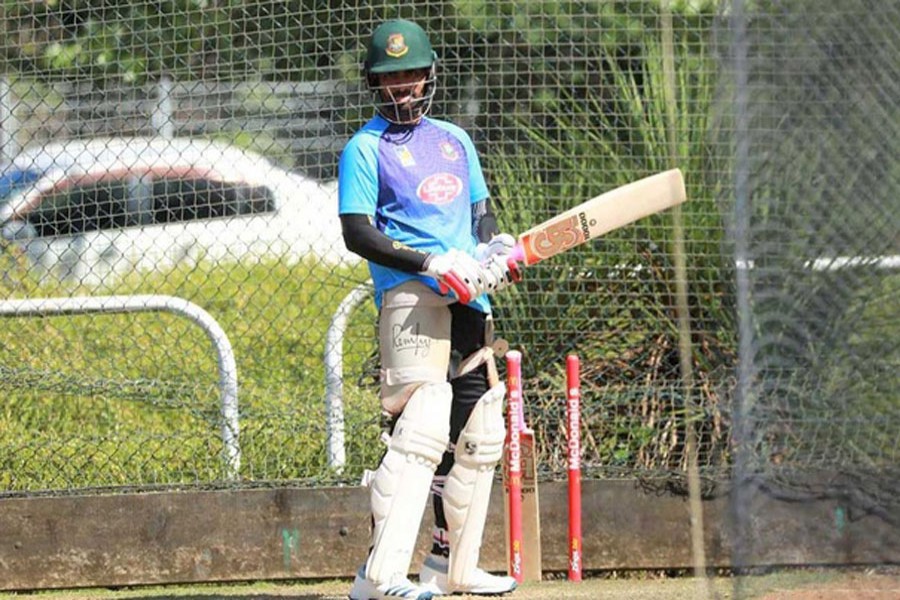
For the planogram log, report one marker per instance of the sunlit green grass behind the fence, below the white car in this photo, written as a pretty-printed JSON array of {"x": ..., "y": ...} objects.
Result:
[{"x": 132, "y": 399}]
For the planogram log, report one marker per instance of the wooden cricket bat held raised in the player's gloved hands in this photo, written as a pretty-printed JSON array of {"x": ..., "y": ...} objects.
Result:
[{"x": 591, "y": 219}]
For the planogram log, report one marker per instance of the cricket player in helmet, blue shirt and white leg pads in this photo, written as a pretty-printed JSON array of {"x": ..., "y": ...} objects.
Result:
[{"x": 414, "y": 203}]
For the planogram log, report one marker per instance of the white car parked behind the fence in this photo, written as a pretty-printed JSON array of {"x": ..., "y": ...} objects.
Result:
[{"x": 88, "y": 210}]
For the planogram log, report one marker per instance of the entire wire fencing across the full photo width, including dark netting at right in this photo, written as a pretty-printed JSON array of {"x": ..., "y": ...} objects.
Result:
[{"x": 190, "y": 151}]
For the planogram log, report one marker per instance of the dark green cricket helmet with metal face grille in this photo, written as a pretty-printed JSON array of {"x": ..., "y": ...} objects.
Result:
[{"x": 396, "y": 46}]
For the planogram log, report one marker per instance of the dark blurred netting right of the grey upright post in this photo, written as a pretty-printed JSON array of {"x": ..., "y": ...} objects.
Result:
[{"x": 814, "y": 105}]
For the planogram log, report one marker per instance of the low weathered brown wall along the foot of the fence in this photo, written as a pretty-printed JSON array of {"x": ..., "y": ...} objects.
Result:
[{"x": 150, "y": 538}]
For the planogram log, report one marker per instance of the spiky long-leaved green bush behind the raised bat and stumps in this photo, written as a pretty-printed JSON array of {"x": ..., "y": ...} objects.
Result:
[{"x": 612, "y": 301}]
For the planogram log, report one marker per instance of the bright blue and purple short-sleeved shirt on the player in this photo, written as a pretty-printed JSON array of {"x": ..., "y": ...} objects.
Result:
[{"x": 418, "y": 184}]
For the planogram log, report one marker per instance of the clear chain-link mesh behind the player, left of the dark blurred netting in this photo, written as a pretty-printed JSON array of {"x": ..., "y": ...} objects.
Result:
[{"x": 192, "y": 153}]
